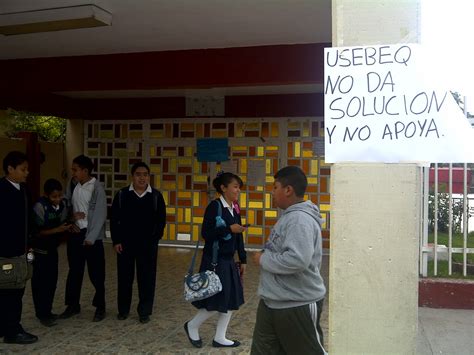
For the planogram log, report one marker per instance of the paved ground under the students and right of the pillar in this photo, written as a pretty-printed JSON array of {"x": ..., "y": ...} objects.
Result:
[{"x": 441, "y": 331}]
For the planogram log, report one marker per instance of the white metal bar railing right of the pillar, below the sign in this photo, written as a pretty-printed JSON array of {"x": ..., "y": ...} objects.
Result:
[{"x": 441, "y": 251}]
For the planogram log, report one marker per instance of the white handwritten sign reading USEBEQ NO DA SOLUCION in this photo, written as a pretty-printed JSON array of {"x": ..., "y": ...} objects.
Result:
[{"x": 381, "y": 106}]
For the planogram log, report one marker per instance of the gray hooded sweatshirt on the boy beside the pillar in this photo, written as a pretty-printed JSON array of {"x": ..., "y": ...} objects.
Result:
[{"x": 290, "y": 264}]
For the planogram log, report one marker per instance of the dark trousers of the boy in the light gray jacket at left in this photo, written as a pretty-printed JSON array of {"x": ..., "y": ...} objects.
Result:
[{"x": 78, "y": 254}]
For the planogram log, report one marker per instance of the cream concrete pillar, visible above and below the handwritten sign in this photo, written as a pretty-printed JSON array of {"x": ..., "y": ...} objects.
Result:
[{"x": 375, "y": 215}]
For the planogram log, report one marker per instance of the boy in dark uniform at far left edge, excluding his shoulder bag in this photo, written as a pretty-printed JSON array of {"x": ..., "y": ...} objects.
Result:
[{"x": 14, "y": 215}]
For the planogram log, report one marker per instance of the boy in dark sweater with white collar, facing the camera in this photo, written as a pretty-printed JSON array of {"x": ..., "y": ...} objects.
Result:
[{"x": 137, "y": 223}]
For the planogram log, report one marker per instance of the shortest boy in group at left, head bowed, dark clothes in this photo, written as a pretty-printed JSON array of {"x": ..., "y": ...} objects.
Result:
[{"x": 49, "y": 214}]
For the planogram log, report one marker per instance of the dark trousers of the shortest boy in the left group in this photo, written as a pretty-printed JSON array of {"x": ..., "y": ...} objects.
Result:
[{"x": 44, "y": 281}]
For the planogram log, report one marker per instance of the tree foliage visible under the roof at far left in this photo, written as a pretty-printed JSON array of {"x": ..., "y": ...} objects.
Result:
[{"x": 49, "y": 128}]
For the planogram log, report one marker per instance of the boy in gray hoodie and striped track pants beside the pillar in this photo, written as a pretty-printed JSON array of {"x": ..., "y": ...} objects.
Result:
[{"x": 291, "y": 287}]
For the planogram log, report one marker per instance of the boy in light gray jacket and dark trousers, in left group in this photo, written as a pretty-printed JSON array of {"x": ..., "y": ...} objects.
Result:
[{"x": 89, "y": 210}]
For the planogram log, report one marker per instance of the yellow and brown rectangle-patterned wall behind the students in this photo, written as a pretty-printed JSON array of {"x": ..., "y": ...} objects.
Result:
[{"x": 169, "y": 147}]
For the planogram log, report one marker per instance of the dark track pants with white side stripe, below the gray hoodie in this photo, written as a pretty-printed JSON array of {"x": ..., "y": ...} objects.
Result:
[{"x": 288, "y": 331}]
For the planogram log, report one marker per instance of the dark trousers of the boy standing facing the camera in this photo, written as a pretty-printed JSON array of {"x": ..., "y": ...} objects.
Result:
[{"x": 145, "y": 259}]
